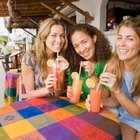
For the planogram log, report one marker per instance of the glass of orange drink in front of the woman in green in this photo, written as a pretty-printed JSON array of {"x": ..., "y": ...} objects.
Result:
[{"x": 76, "y": 90}]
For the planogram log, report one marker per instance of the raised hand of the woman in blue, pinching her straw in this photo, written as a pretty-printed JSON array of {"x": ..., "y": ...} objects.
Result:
[{"x": 110, "y": 80}]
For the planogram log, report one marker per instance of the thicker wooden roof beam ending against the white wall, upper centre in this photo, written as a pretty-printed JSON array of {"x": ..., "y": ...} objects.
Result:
[{"x": 86, "y": 14}]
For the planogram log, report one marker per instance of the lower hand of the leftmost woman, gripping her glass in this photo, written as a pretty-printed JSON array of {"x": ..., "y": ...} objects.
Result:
[{"x": 50, "y": 82}]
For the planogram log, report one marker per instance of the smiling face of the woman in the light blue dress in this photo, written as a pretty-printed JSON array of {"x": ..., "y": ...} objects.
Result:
[{"x": 127, "y": 44}]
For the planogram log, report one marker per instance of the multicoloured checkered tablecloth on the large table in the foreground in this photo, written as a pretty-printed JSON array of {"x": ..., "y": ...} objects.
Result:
[{"x": 56, "y": 119}]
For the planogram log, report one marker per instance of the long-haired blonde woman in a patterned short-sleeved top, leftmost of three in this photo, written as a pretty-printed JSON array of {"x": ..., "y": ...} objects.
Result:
[{"x": 51, "y": 39}]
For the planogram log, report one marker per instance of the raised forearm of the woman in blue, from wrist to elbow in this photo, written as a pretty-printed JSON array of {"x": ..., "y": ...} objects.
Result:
[{"x": 129, "y": 105}]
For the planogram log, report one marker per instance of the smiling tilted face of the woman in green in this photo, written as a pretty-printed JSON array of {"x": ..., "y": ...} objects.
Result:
[{"x": 84, "y": 45}]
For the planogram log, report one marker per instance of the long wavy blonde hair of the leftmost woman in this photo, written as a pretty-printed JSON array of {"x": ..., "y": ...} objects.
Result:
[{"x": 39, "y": 49}]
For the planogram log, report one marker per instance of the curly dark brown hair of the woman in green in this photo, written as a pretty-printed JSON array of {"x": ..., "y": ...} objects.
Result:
[{"x": 103, "y": 49}]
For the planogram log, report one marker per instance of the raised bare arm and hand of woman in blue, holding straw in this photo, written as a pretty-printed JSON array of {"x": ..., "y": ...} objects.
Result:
[{"x": 132, "y": 107}]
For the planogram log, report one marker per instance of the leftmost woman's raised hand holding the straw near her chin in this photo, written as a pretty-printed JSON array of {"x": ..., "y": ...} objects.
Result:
[{"x": 62, "y": 63}]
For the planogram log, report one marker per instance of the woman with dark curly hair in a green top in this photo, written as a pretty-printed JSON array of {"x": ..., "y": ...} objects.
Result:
[{"x": 90, "y": 48}]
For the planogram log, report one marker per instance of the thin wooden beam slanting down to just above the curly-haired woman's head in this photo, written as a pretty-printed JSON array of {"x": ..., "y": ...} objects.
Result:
[{"x": 59, "y": 13}]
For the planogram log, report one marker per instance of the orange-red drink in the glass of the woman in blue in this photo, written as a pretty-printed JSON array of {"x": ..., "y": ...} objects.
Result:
[{"x": 95, "y": 99}]
